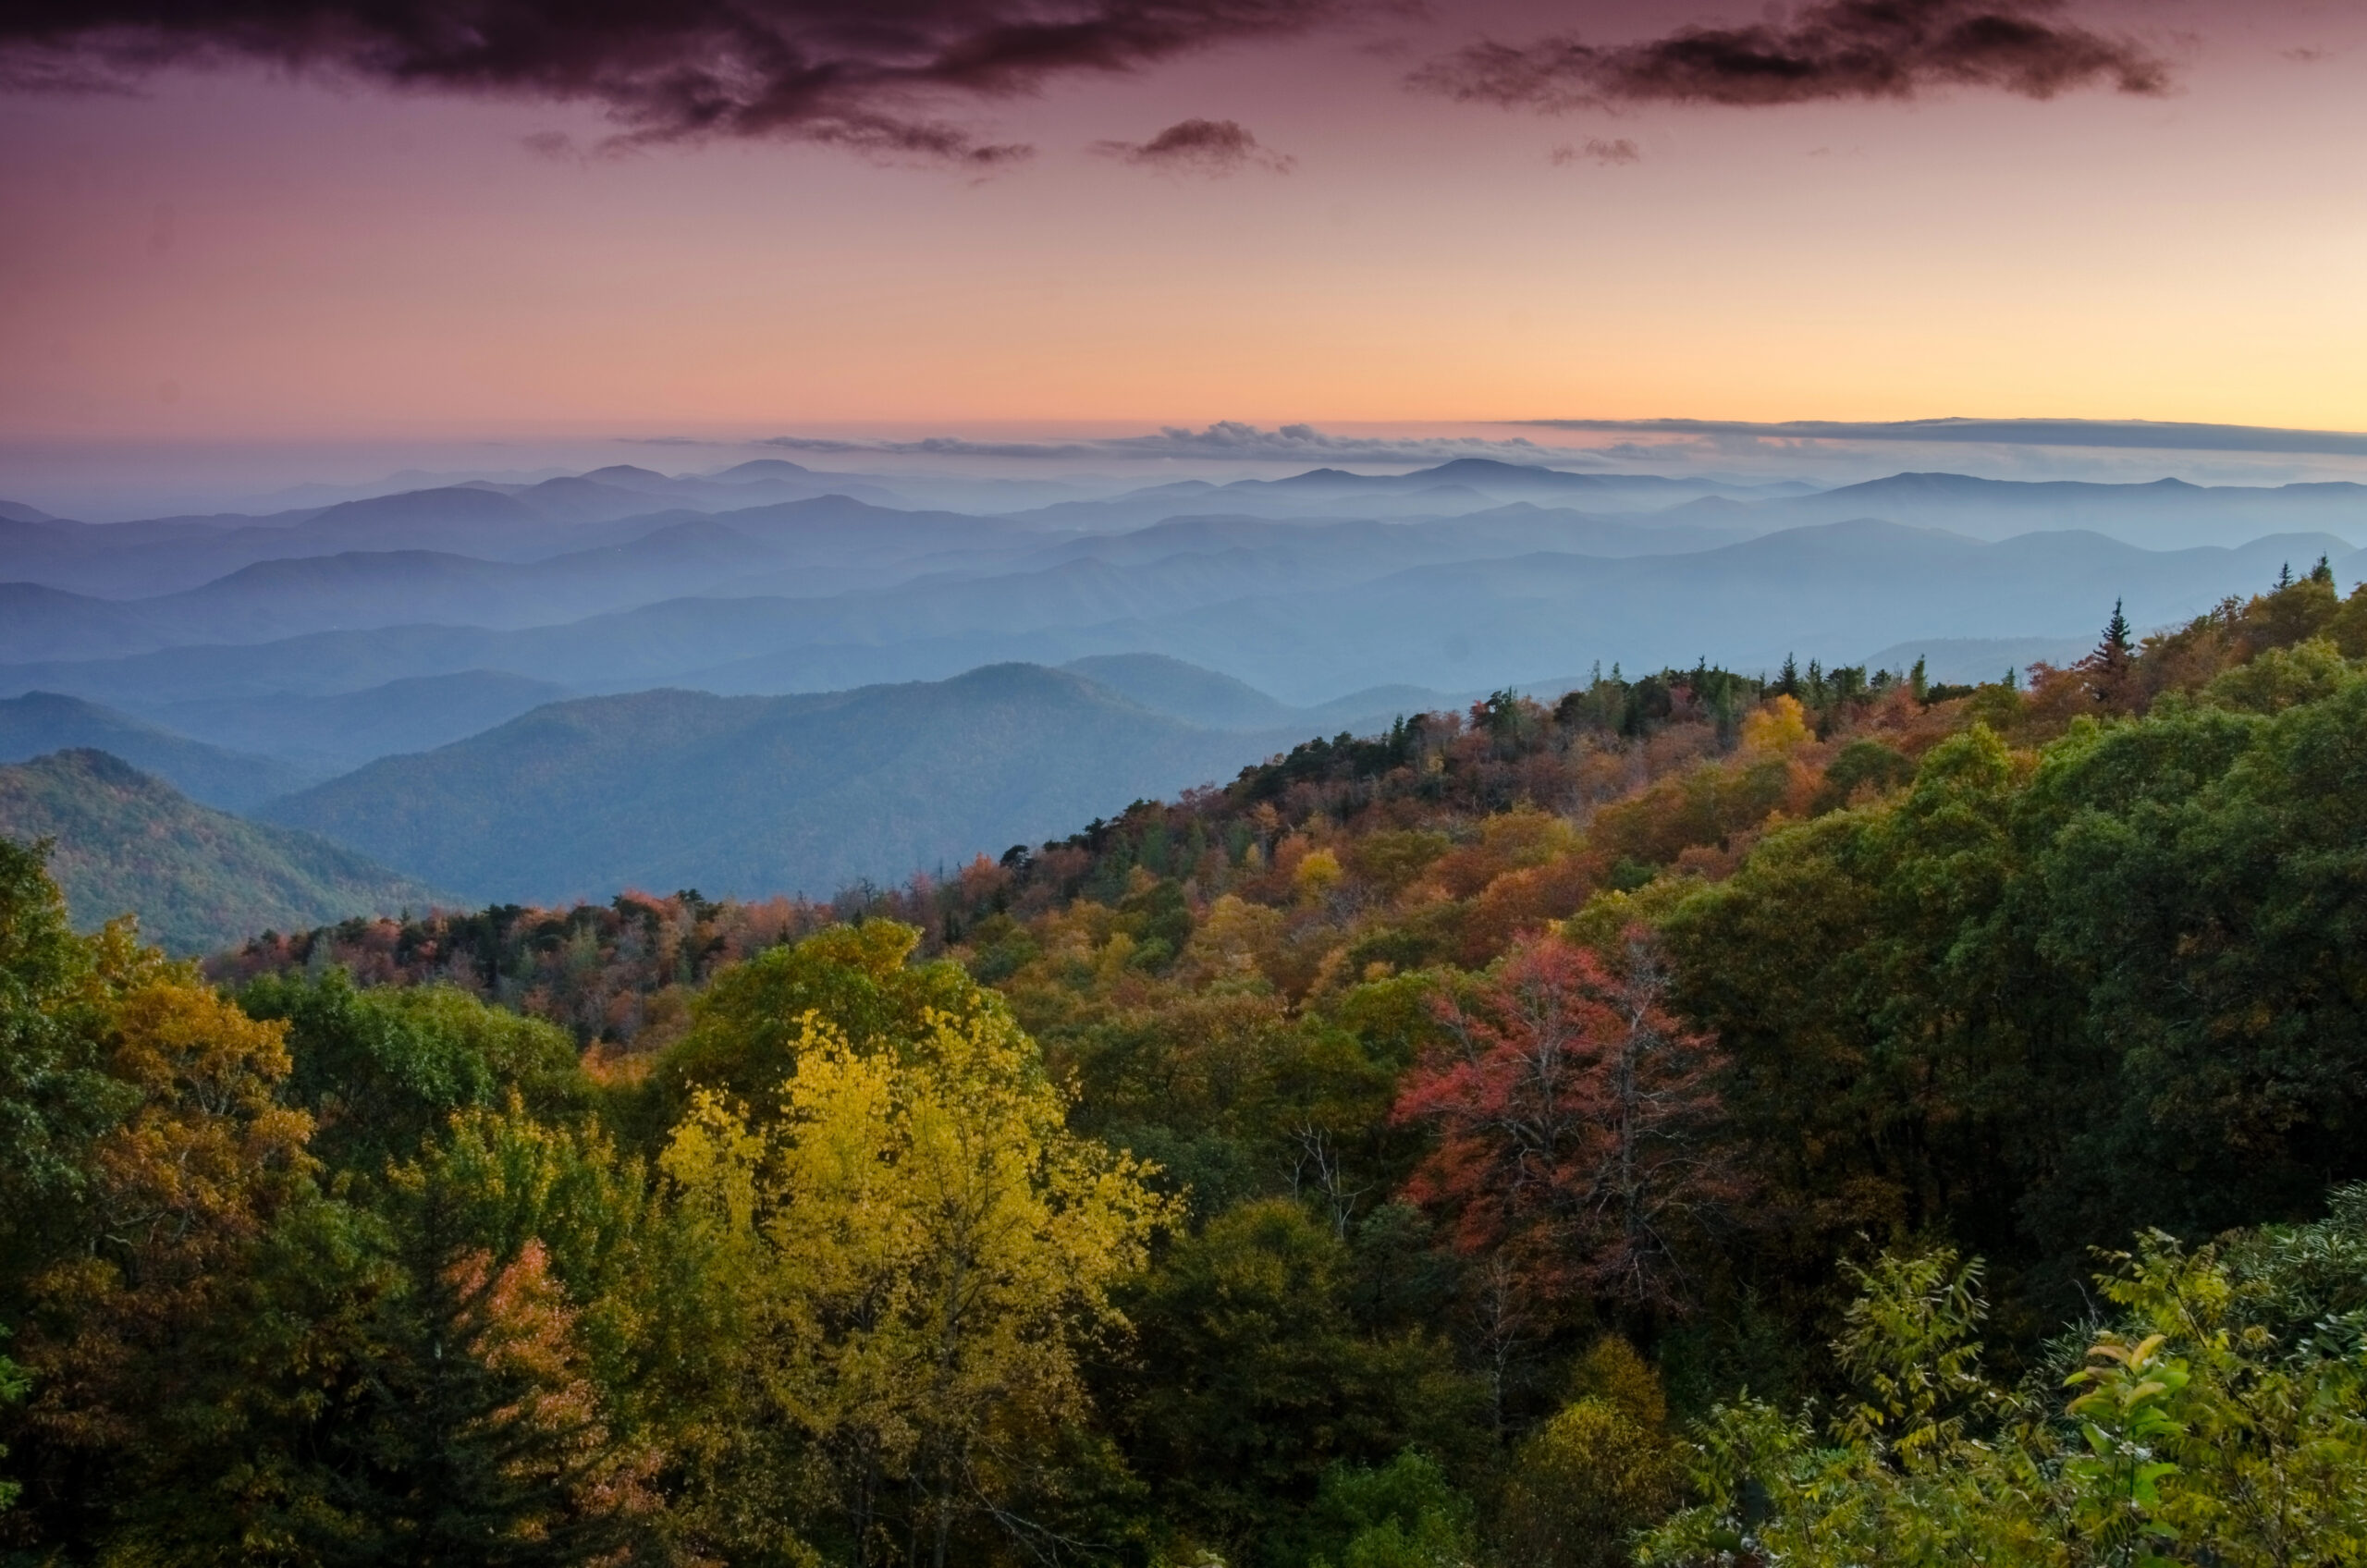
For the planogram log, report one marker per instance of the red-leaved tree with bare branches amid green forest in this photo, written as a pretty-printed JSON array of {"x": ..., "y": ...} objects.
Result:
[{"x": 1578, "y": 1124}]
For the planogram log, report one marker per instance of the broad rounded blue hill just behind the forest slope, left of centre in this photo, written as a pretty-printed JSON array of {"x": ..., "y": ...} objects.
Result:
[{"x": 766, "y": 795}]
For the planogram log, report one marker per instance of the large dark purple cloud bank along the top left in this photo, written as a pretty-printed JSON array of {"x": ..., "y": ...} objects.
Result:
[{"x": 863, "y": 75}]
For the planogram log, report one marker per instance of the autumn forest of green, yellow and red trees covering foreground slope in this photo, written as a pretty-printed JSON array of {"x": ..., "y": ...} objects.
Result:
[{"x": 1708, "y": 1122}]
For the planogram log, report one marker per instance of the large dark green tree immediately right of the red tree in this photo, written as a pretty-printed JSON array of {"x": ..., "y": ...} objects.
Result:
[{"x": 1883, "y": 1013}]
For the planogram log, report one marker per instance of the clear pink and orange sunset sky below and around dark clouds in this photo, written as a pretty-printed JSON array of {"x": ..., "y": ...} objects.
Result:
[{"x": 233, "y": 257}]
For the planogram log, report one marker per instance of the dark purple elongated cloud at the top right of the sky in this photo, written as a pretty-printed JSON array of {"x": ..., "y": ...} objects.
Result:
[{"x": 1840, "y": 49}]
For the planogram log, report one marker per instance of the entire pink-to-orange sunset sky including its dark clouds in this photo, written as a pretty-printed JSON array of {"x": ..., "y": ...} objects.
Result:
[{"x": 1263, "y": 212}]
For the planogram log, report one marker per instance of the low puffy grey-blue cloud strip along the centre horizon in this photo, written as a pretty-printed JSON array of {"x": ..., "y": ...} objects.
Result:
[{"x": 1225, "y": 439}]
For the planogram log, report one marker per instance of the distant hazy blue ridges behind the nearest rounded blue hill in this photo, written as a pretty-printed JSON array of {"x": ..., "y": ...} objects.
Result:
[{"x": 768, "y": 577}]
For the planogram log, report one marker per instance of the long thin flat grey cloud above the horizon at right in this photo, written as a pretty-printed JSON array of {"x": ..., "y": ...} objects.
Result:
[{"x": 2127, "y": 435}]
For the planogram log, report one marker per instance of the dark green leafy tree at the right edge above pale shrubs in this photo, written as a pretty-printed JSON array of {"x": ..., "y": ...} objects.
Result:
[{"x": 2193, "y": 880}]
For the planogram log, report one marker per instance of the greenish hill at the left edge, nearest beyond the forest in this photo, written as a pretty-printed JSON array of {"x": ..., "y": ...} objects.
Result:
[{"x": 198, "y": 880}]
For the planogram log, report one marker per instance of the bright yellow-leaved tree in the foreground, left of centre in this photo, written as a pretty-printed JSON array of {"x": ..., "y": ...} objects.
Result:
[{"x": 927, "y": 1252}]
